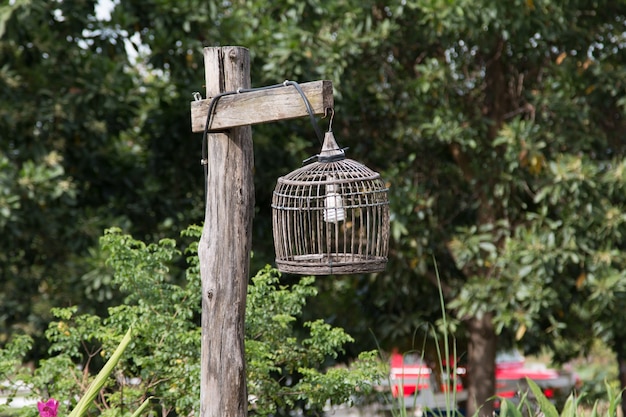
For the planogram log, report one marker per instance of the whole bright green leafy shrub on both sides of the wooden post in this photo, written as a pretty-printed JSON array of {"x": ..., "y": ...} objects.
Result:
[{"x": 286, "y": 359}]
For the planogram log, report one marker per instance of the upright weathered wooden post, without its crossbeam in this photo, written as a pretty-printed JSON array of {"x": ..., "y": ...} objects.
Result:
[{"x": 225, "y": 246}]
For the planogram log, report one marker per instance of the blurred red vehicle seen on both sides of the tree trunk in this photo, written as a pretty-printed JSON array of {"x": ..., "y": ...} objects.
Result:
[{"x": 411, "y": 375}]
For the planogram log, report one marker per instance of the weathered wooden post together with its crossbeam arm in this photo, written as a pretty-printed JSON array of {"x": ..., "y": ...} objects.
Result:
[{"x": 226, "y": 241}]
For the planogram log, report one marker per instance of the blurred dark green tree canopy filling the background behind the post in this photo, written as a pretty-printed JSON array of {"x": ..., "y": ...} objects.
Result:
[{"x": 498, "y": 125}]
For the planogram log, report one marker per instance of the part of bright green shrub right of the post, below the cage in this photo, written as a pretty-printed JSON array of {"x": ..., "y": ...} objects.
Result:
[{"x": 286, "y": 372}]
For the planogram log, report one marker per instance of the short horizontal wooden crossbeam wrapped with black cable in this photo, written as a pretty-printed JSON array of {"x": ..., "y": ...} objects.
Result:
[{"x": 262, "y": 106}]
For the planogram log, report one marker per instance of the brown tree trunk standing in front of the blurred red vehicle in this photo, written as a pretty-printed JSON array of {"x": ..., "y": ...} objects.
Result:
[{"x": 481, "y": 366}]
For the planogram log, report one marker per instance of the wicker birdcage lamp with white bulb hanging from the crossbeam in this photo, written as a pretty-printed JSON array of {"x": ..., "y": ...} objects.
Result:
[{"x": 331, "y": 217}]
